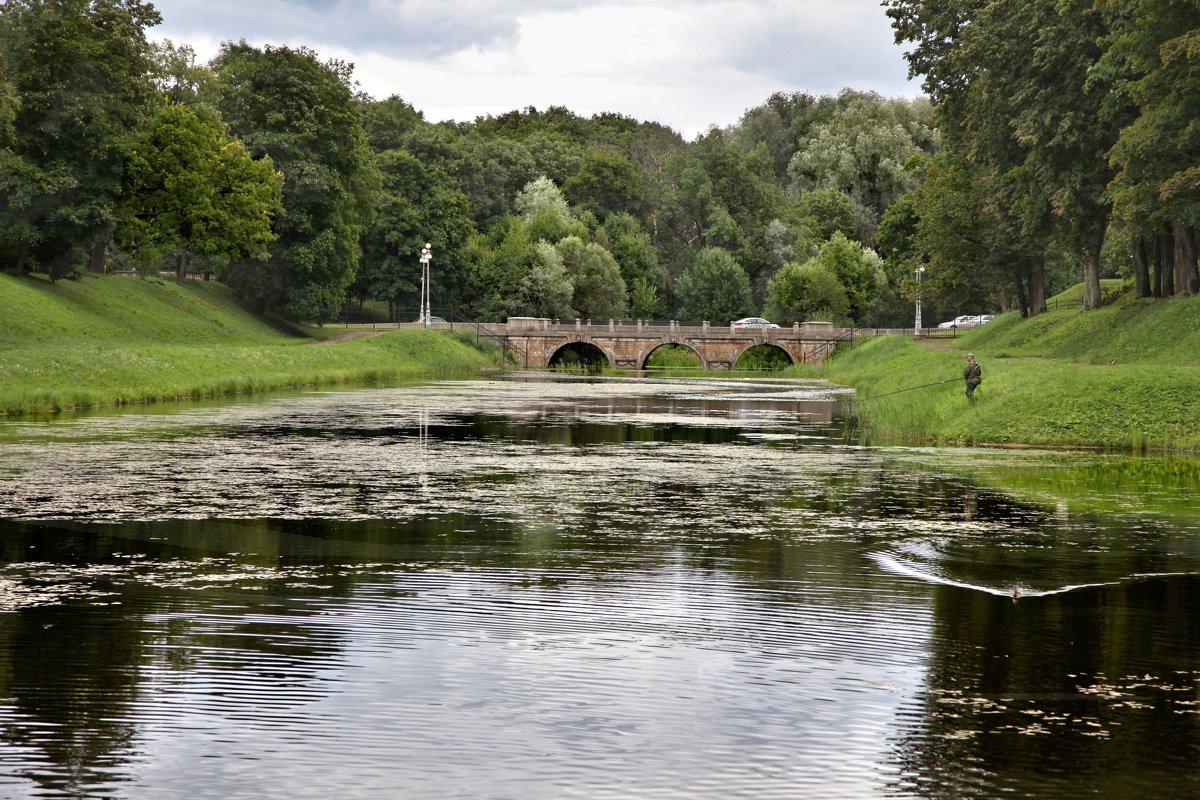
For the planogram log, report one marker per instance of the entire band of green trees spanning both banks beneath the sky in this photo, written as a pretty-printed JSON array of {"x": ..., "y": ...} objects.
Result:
[{"x": 1058, "y": 134}]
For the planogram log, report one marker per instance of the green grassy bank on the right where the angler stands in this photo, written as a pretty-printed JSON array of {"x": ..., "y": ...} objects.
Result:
[{"x": 1126, "y": 376}]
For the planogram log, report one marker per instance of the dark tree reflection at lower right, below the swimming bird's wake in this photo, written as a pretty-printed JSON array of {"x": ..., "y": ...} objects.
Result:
[{"x": 1087, "y": 694}]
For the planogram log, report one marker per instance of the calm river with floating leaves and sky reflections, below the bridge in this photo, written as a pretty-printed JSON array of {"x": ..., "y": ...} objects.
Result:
[{"x": 593, "y": 590}]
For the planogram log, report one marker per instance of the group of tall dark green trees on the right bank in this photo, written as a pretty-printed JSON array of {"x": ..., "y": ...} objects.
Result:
[{"x": 1070, "y": 133}]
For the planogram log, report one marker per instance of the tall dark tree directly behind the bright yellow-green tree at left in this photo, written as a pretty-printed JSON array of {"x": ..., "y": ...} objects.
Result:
[{"x": 287, "y": 105}]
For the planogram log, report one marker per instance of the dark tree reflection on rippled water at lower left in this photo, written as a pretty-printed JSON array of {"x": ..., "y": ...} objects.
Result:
[{"x": 137, "y": 601}]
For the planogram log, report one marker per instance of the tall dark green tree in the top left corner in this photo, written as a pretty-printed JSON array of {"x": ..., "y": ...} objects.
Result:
[{"x": 80, "y": 71}]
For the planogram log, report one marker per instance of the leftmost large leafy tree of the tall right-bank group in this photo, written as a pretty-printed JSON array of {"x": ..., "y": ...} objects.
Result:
[{"x": 1029, "y": 95}]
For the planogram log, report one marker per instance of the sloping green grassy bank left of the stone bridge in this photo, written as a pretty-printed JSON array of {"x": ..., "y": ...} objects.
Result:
[{"x": 110, "y": 341}]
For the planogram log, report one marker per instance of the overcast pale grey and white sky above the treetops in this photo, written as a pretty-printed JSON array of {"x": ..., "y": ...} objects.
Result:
[{"x": 687, "y": 64}]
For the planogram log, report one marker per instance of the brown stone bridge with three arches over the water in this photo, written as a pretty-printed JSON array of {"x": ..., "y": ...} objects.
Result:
[{"x": 627, "y": 346}]
